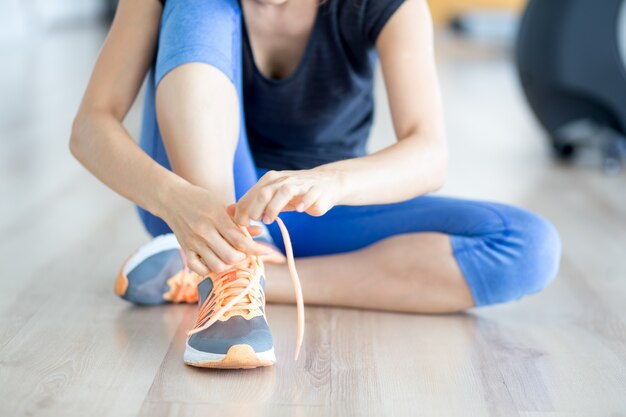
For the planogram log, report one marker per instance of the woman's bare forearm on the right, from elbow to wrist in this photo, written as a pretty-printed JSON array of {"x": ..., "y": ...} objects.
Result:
[{"x": 410, "y": 167}]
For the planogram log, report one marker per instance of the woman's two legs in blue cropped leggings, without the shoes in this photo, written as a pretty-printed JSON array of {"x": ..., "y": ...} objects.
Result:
[{"x": 428, "y": 255}]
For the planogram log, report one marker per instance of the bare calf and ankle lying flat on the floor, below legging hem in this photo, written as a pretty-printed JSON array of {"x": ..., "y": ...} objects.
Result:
[{"x": 381, "y": 277}]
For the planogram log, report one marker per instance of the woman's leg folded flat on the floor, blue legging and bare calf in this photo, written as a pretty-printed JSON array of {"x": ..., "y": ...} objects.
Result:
[{"x": 427, "y": 255}]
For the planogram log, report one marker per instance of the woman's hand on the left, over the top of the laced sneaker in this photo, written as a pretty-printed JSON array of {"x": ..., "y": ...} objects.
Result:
[{"x": 206, "y": 231}]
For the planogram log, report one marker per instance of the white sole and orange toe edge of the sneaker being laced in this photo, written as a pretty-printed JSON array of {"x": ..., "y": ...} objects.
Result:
[{"x": 237, "y": 357}]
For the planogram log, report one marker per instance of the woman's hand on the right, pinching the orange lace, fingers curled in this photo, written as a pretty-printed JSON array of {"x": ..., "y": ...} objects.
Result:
[{"x": 312, "y": 191}]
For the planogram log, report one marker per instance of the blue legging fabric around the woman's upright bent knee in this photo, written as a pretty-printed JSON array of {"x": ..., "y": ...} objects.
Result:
[{"x": 197, "y": 31}]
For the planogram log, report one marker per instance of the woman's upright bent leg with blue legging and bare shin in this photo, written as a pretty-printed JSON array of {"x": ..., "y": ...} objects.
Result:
[{"x": 195, "y": 88}]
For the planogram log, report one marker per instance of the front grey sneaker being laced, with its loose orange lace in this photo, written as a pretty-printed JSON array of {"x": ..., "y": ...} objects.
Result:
[{"x": 231, "y": 329}]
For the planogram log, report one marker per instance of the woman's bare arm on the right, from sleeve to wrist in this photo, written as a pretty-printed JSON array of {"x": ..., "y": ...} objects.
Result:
[{"x": 417, "y": 163}]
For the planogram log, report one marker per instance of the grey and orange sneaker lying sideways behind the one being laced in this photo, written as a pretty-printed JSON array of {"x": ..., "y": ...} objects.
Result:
[{"x": 156, "y": 274}]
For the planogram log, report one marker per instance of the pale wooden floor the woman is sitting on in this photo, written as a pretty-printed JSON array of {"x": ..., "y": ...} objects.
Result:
[{"x": 69, "y": 347}]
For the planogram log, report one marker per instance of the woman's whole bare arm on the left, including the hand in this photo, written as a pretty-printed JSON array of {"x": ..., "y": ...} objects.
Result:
[{"x": 99, "y": 141}]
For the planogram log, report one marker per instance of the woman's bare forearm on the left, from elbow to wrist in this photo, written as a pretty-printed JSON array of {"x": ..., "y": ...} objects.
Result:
[{"x": 102, "y": 144}]
